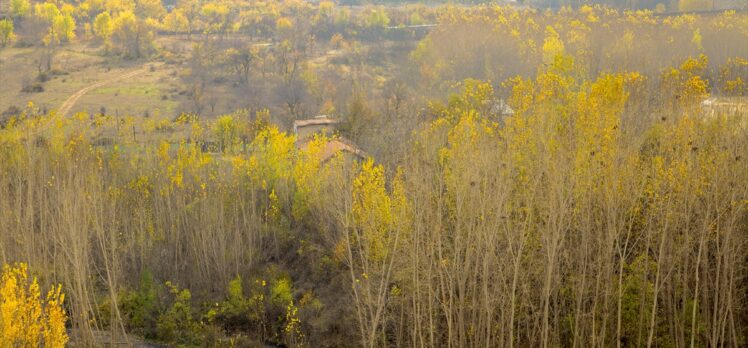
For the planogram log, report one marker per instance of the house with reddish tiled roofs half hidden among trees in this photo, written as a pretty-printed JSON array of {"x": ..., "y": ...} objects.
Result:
[{"x": 305, "y": 130}]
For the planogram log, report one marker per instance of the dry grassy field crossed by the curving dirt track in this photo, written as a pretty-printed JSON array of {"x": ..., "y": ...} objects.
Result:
[{"x": 77, "y": 66}]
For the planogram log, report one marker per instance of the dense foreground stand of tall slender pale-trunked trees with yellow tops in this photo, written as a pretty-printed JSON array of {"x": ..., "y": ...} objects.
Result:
[{"x": 608, "y": 208}]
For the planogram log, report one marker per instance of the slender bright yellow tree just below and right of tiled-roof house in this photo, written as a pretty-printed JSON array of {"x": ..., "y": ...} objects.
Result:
[{"x": 377, "y": 223}]
